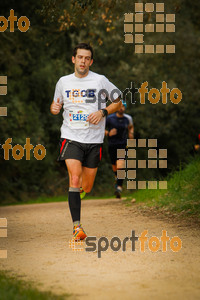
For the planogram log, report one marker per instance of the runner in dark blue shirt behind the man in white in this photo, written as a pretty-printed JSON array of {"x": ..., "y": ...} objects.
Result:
[{"x": 119, "y": 127}]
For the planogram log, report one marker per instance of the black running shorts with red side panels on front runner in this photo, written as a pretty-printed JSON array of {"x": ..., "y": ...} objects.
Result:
[{"x": 89, "y": 154}]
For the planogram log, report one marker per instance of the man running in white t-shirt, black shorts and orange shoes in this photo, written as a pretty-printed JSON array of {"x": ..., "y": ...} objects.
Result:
[{"x": 83, "y": 127}]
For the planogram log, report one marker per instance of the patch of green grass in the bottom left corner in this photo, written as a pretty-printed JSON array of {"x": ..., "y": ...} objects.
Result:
[{"x": 14, "y": 289}]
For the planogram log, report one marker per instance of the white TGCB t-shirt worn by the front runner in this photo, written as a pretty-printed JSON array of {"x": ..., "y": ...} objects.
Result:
[{"x": 80, "y": 97}]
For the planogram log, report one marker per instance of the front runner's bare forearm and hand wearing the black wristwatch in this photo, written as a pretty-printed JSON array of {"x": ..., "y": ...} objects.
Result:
[{"x": 96, "y": 117}]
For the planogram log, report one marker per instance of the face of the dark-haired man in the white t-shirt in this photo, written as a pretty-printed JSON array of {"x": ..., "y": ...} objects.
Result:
[{"x": 82, "y": 61}]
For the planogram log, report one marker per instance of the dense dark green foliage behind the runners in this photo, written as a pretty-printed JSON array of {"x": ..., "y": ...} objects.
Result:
[{"x": 35, "y": 60}]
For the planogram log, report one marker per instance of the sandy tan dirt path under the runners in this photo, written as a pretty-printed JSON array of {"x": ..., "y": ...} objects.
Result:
[{"x": 38, "y": 248}]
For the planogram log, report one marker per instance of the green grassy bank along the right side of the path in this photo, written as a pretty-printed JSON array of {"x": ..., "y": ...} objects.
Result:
[{"x": 182, "y": 195}]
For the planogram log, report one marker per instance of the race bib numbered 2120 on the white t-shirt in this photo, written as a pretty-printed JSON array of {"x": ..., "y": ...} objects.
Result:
[{"x": 77, "y": 118}]
